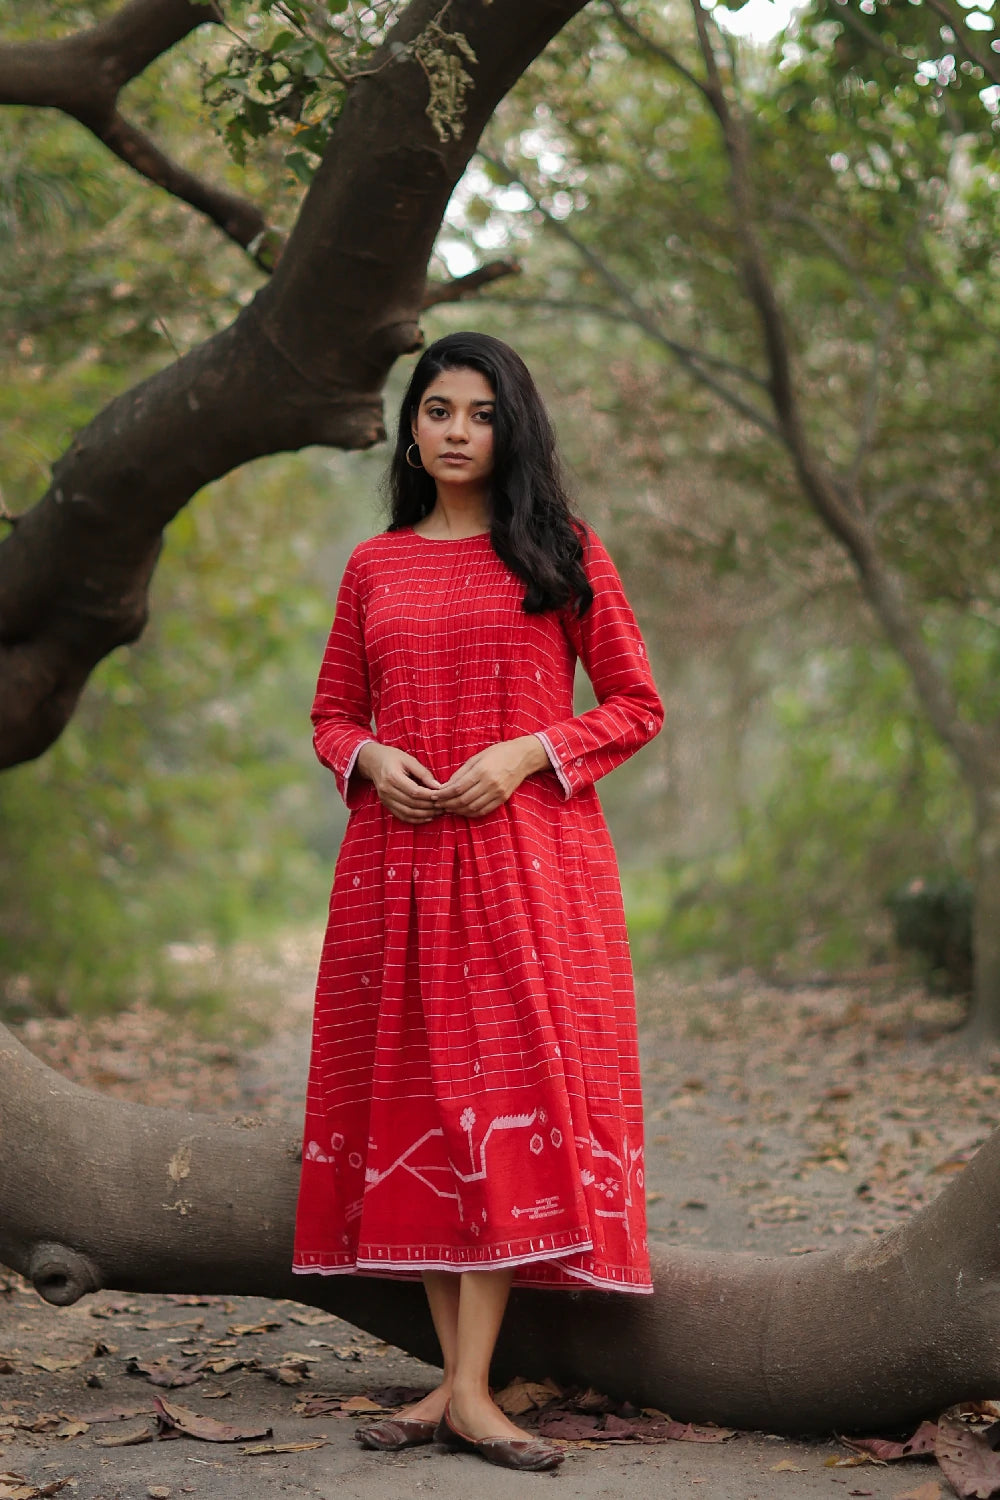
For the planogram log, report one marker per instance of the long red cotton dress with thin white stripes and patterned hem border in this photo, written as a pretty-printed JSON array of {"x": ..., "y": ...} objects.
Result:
[{"x": 475, "y": 1093}]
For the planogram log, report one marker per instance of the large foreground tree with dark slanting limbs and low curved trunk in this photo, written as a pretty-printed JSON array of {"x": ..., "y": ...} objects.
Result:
[{"x": 143, "y": 1198}]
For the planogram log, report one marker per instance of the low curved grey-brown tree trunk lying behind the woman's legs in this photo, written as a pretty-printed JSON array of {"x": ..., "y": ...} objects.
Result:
[{"x": 95, "y": 1193}]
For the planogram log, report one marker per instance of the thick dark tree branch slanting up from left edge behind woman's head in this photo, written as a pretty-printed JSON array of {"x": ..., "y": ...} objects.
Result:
[{"x": 304, "y": 364}]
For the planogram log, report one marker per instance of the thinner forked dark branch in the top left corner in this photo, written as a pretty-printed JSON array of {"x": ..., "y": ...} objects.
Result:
[{"x": 83, "y": 76}]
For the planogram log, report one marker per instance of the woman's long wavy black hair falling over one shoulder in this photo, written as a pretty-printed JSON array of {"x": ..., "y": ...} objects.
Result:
[{"x": 531, "y": 524}]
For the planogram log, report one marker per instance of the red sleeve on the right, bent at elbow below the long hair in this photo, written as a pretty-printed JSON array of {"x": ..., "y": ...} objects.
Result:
[{"x": 629, "y": 712}]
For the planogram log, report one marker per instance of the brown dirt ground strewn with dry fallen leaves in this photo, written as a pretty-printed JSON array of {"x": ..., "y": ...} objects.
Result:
[{"x": 777, "y": 1121}]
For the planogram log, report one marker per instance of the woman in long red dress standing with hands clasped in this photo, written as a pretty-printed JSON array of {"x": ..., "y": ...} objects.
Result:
[{"x": 475, "y": 1114}]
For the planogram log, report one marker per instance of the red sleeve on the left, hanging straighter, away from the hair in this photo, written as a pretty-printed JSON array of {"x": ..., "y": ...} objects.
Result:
[{"x": 343, "y": 709}]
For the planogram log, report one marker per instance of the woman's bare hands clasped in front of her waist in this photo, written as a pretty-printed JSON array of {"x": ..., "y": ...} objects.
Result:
[{"x": 478, "y": 788}]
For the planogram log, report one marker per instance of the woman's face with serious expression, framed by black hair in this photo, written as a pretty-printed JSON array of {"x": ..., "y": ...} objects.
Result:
[{"x": 454, "y": 428}]
